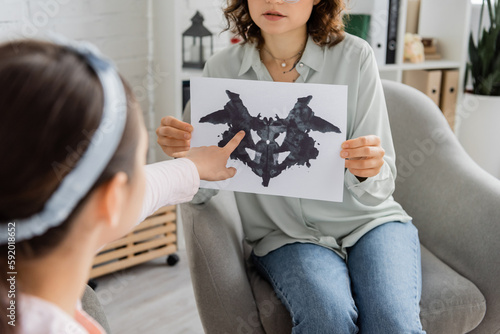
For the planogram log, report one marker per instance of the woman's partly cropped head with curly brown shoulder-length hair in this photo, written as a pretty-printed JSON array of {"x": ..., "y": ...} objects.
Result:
[{"x": 252, "y": 19}]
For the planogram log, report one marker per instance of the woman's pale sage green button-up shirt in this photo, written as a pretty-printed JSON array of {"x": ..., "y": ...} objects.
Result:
[{"x": 270, "y": 222}]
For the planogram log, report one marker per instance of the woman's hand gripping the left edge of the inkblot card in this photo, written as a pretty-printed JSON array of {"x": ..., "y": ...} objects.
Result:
[{"x": 174, "y": 136}]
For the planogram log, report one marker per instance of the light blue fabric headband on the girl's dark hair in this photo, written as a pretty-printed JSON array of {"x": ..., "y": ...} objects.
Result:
[{"x": 76, "y": 185}]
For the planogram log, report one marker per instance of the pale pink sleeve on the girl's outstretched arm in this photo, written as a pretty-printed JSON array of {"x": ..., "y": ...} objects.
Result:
[{"x": 169, "y": 183}]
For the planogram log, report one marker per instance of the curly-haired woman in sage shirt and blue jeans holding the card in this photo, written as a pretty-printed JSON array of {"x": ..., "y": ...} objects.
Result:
[{"x": 337, "y": 267}]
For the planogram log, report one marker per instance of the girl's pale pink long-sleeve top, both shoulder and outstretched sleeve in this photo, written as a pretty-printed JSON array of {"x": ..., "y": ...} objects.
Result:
[{"x": 167, "y": 183}]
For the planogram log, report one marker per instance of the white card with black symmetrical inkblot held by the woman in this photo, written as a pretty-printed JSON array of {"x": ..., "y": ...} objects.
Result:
[{"x": 293, "y": 135}]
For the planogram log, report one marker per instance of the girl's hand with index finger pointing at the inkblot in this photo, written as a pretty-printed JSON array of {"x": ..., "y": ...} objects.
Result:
[{"x": 211, "y": 161}]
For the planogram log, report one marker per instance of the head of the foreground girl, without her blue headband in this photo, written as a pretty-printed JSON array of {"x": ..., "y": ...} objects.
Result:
[{"x": 51, "y": 103}]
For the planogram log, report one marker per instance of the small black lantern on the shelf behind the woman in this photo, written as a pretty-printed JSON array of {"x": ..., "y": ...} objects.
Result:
[{"x": 195, "y": 54}]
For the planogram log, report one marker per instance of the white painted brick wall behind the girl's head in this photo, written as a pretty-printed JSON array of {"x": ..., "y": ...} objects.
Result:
[{"x": 120, "y": 28}]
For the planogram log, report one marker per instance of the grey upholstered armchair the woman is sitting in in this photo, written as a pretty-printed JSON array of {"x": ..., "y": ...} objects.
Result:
[{"x": 454, "y": 203}]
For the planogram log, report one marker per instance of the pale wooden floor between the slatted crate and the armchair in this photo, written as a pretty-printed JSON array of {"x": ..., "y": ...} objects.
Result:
[{"x": 151, "y": 298}]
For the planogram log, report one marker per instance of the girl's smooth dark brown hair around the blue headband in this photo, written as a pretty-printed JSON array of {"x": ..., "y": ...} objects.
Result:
[{"x": 51, "y": 102}]
